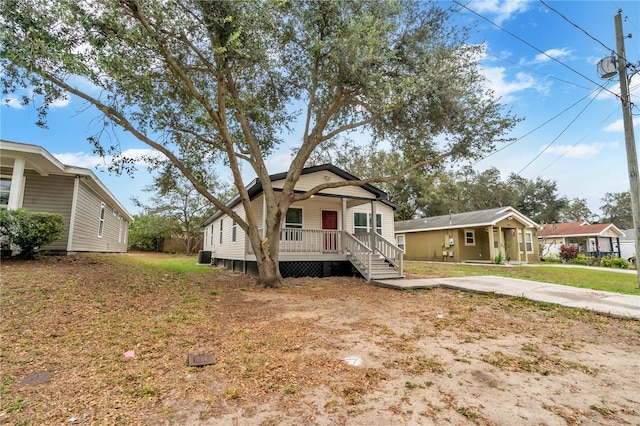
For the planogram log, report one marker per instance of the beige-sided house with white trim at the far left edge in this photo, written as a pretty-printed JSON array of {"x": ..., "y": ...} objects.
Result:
[{"x": 33, "y": 179}]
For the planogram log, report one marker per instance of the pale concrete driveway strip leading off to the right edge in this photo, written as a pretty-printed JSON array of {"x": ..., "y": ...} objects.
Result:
[{"x": 614, "y": 304}]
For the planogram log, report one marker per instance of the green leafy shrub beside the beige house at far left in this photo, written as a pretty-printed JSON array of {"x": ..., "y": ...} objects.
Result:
[{"x": 30, "y": 231}]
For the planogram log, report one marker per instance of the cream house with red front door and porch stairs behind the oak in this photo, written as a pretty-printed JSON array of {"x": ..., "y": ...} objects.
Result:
[{"x": 328, "y": 234}]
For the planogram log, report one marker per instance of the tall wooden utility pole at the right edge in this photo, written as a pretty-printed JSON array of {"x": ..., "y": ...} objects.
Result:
[{"x": 629, "y": 138}]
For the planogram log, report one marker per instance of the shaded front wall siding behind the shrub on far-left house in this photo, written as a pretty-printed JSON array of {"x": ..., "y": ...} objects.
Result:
[{"x": 51, "y": 194}]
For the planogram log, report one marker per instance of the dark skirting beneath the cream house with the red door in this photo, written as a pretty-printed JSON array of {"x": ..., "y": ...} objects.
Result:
[{"x": 294, "y": 269}]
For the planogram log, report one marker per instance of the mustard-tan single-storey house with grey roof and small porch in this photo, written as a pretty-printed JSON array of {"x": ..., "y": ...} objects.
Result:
[{"x": 478, "y": 236}]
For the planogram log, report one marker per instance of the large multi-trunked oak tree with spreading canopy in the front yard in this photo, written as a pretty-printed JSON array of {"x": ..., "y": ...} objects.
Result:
[{"x": 224, "y": 81}]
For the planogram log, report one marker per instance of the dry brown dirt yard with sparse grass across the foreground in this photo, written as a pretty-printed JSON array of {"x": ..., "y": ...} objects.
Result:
[{"x": 316, "y": 352}]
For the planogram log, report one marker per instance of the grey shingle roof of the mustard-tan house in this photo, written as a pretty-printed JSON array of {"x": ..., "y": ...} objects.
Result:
[{"x": 463, "y": 220}]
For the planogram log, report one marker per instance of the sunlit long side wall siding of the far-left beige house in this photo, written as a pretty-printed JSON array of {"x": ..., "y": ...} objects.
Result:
[{"x": 87, "y": 220}]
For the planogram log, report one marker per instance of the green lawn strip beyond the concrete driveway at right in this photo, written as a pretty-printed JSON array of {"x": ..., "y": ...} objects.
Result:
[{"x": 592, "y": 278}]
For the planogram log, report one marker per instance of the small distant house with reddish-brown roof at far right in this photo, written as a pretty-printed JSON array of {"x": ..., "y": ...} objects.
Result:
[{"x": 597, "y": 240}]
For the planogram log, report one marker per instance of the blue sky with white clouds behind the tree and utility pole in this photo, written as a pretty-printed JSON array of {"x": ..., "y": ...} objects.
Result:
[{"x": 581, "y": 149}]
